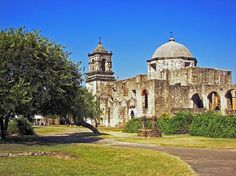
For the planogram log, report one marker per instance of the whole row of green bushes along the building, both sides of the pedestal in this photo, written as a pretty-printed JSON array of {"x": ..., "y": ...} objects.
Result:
[{"x": 209, "y": 124}]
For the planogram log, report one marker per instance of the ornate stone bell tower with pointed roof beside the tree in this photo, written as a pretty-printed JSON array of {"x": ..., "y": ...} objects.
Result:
[{"x": 100, "y": 68}]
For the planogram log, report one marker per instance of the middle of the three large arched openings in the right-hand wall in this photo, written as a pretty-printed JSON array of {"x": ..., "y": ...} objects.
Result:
[{"x": 214, "y": 101}]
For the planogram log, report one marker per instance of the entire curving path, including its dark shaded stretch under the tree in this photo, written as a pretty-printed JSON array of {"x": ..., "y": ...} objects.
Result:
[{"x": 205, "y": 162}]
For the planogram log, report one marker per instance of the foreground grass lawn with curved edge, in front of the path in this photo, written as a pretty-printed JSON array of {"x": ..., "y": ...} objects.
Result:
[{"x": 90, "y": 159}]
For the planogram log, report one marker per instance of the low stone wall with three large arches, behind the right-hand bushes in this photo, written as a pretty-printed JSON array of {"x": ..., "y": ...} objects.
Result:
[{"x": 180, "y": 97}]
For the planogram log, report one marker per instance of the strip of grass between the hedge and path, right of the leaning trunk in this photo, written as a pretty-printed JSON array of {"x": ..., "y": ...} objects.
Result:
[{"x": 183, "y": 140}]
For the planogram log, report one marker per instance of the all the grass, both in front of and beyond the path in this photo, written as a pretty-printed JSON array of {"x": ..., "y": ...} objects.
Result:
[{"x": 102, "y": 159}]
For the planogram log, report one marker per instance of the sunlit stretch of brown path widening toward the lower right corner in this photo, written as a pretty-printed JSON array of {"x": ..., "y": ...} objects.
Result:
[{"x": 204, "y": 162}]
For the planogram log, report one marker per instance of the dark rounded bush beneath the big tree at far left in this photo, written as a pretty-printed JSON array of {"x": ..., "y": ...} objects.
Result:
[{"x": 20, "y": 126}]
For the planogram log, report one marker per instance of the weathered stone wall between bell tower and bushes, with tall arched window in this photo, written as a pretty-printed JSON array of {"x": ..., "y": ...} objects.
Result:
[{"x": 115, "y": 97}]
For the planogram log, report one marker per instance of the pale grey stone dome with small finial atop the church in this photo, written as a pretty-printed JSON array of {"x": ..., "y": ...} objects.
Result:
[{"x": 172, "y": 49}]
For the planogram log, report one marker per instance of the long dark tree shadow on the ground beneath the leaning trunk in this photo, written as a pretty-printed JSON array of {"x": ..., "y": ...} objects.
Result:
[{"x": 81, "y": 137}]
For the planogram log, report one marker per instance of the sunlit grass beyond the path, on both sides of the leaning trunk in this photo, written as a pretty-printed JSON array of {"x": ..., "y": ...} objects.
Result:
[{"x": 184, "y": 140}]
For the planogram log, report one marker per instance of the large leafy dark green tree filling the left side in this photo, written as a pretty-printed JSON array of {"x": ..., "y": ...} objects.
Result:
[{"x": 36, "y": 76}]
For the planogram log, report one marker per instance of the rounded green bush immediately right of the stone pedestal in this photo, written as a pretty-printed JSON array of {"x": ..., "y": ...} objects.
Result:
[{"x": 177, "y": 124}]
